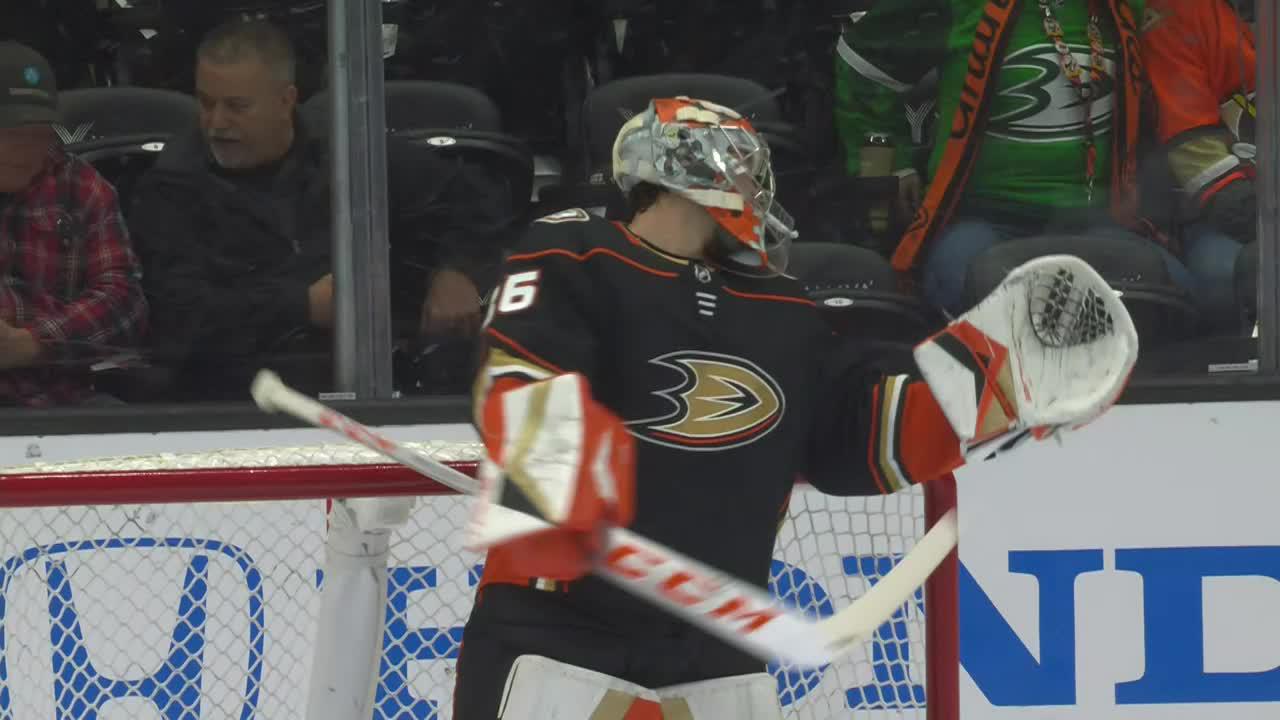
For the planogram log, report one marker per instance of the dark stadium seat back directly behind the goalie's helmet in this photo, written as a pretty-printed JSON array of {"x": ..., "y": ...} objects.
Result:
[{"x": 609, "y": 108}]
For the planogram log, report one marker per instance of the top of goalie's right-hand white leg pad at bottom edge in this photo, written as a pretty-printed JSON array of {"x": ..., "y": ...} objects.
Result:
[{"x": 746, "y": 698}]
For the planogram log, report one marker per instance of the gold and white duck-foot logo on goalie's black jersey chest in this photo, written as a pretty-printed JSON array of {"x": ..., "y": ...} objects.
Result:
[{"x": 723, "y": 403}]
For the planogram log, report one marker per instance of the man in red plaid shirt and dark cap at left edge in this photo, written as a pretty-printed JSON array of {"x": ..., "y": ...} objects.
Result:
[{"x": 70, "y": 284}]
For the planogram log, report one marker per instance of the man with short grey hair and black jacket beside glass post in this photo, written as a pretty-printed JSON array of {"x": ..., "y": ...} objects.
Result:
[{"x": 234, "y": 225}]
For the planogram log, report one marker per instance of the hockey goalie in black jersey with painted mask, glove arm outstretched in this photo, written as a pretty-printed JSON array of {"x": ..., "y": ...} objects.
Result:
[{"x": 665, "y": 375}]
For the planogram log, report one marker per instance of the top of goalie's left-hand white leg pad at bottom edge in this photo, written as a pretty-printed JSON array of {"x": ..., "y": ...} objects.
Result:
[{"x": 540, "y": 689}]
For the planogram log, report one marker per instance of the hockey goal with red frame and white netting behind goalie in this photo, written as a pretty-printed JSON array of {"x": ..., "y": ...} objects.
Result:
[{"x": 186, "y": 587}]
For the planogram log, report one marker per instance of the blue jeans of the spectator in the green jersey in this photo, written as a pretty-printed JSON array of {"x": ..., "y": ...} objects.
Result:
[{"x": 948, "y": 262}]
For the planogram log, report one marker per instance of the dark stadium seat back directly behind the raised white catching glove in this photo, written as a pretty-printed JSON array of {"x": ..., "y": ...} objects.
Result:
[{"x": 1162, "y": 312}]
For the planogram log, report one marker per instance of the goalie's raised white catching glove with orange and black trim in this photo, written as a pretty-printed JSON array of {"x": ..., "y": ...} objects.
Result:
[{"x": 1049, "y": 350}]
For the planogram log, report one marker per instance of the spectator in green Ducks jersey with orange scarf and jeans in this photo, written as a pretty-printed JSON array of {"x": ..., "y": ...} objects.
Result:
[{"x": 1039, "y": 130}]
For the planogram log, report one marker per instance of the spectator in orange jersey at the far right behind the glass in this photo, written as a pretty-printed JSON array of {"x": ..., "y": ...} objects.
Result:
[{"x": 1203, "y": 61}]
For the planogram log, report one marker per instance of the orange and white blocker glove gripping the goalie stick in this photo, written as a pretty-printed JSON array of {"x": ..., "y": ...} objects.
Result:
[{"x": 556, "y": 454}]
